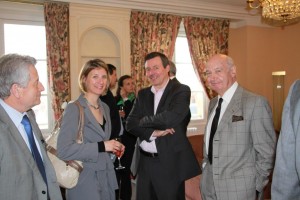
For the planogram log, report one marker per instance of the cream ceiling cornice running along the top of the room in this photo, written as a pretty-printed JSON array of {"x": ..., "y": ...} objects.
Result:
[{"x": 235, "y": 10}]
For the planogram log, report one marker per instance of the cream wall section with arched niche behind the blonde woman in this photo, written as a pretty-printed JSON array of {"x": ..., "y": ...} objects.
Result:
[{"x": 98, "y": 32}]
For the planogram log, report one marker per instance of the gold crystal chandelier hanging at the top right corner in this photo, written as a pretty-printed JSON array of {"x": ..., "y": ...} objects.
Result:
[{"x": 279, "y": 10}]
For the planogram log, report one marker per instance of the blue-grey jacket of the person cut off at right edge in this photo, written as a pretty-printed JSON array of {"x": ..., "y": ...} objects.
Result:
[{"x": 286, "y": 181}]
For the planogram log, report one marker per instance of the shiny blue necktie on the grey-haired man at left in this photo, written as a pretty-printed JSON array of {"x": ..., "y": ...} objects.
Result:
[{"x": 35, "y": 152}]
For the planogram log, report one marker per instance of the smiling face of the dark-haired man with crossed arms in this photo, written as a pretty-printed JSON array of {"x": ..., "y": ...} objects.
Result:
[{"x": 156, "y": 73}]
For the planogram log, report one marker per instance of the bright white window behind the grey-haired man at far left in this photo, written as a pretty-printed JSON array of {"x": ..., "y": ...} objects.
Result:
[{"x": 31, "y": 40}]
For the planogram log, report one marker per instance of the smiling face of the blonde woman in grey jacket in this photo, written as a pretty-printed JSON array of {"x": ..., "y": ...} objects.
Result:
[{"x": 96, "y": 81}]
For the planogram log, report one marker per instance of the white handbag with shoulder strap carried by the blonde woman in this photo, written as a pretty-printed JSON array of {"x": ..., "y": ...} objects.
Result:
[{"x": 67, "y": 172}]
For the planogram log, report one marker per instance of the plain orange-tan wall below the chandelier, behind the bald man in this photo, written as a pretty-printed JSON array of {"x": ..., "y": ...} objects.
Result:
[{"x": 259, "y": 51}]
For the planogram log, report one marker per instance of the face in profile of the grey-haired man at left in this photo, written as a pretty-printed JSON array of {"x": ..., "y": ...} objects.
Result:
[{"x": 30, "y": 95}]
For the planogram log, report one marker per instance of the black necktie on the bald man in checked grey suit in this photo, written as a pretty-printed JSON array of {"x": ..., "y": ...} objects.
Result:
[{"x": 213, "y": 129}]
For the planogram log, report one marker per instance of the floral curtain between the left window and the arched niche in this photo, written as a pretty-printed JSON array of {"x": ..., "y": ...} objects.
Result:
[{"x": 58, "y": 58}]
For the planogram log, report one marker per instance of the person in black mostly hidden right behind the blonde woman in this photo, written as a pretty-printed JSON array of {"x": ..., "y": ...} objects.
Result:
[{"x": 109, "y": 99}]
